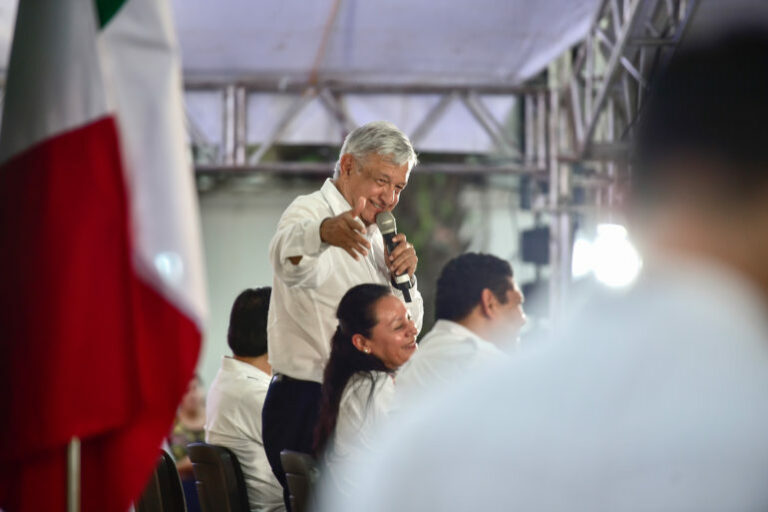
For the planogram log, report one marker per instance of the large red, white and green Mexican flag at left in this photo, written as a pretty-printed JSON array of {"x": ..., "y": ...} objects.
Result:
[{"x": 101, "y": 275}]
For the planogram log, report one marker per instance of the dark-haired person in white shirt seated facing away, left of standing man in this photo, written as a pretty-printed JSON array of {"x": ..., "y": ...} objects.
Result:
[{"x": 236, "y": 397}]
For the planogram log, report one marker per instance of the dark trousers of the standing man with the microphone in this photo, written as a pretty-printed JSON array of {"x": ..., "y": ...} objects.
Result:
[{"x": 288, "y": 421}]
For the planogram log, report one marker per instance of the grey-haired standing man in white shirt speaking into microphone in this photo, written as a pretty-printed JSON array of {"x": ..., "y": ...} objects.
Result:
[{"x": 326, "y": 243}]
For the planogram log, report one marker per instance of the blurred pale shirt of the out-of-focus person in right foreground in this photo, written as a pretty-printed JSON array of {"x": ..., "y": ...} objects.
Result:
[{"x": 655, "y": 400}]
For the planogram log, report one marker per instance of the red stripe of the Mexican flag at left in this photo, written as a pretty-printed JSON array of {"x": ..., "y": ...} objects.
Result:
[{"x": 89, "y": 349}]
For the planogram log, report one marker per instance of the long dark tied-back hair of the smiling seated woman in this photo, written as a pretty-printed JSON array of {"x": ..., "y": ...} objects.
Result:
[{"x": 356, "y": 314}]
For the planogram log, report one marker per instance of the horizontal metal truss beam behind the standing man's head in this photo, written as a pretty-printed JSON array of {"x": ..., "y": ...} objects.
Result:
[{"x": 526, "y": 153}]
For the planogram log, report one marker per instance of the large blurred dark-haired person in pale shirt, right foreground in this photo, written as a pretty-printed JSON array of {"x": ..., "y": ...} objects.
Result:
[{"x": 654, "y": 399}]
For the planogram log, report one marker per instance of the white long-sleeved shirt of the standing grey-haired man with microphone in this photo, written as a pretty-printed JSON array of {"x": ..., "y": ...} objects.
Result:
[{"x": 302, "y": 312}]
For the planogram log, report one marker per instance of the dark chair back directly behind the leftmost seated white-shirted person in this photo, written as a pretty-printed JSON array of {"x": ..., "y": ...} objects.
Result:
[{"x": 219, "y": 479}]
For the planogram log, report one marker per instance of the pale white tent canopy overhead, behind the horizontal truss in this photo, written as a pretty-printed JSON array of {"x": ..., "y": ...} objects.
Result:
[{"x": 275, "y": 47}]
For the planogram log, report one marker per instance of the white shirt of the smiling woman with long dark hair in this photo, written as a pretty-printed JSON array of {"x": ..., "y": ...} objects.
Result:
[{"x": 363, "y": 408}]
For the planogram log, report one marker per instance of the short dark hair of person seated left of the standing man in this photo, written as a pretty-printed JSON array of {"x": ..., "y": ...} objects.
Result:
[{"x": 247, "y": 335}]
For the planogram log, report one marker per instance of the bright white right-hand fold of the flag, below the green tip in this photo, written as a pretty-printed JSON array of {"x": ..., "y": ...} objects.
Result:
[{"x": 143, "y": 73}]
